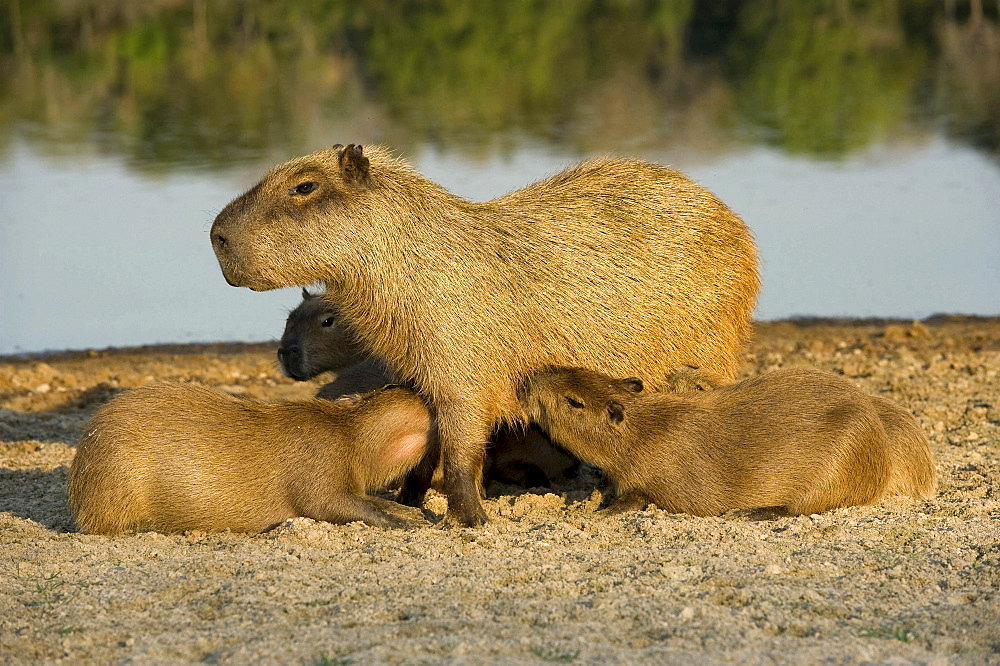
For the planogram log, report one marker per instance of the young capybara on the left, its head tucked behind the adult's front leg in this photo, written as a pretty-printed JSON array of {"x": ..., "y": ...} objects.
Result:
[{"x": 172, "y": 457}]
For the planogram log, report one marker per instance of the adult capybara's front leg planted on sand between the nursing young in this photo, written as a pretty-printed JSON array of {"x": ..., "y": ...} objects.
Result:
[{"x": 463, "y": 447}]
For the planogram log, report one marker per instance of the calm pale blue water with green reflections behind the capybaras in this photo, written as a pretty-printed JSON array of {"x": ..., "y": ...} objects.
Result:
[{"x": 858, "y": 140}]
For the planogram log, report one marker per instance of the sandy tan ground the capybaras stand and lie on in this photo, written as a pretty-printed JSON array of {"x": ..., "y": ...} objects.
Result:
[{"x": 545, "y": 580}]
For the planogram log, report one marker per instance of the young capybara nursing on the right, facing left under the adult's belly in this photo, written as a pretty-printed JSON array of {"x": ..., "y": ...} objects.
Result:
[{"x": 799, "y": 439}]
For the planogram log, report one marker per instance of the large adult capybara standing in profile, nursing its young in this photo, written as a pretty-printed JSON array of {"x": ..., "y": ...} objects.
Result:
[{"x": 619, "y": 265}]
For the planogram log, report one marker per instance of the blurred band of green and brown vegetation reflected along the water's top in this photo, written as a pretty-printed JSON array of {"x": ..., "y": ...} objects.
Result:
[{"x": 202, "y": 84}]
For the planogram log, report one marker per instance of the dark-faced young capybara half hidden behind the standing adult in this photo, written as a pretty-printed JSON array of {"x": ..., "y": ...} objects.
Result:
[{"x": 316, "y": 340}]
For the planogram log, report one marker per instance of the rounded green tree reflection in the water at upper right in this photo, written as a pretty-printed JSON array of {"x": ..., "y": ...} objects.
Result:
[{"x": 824, "y": 77}]
